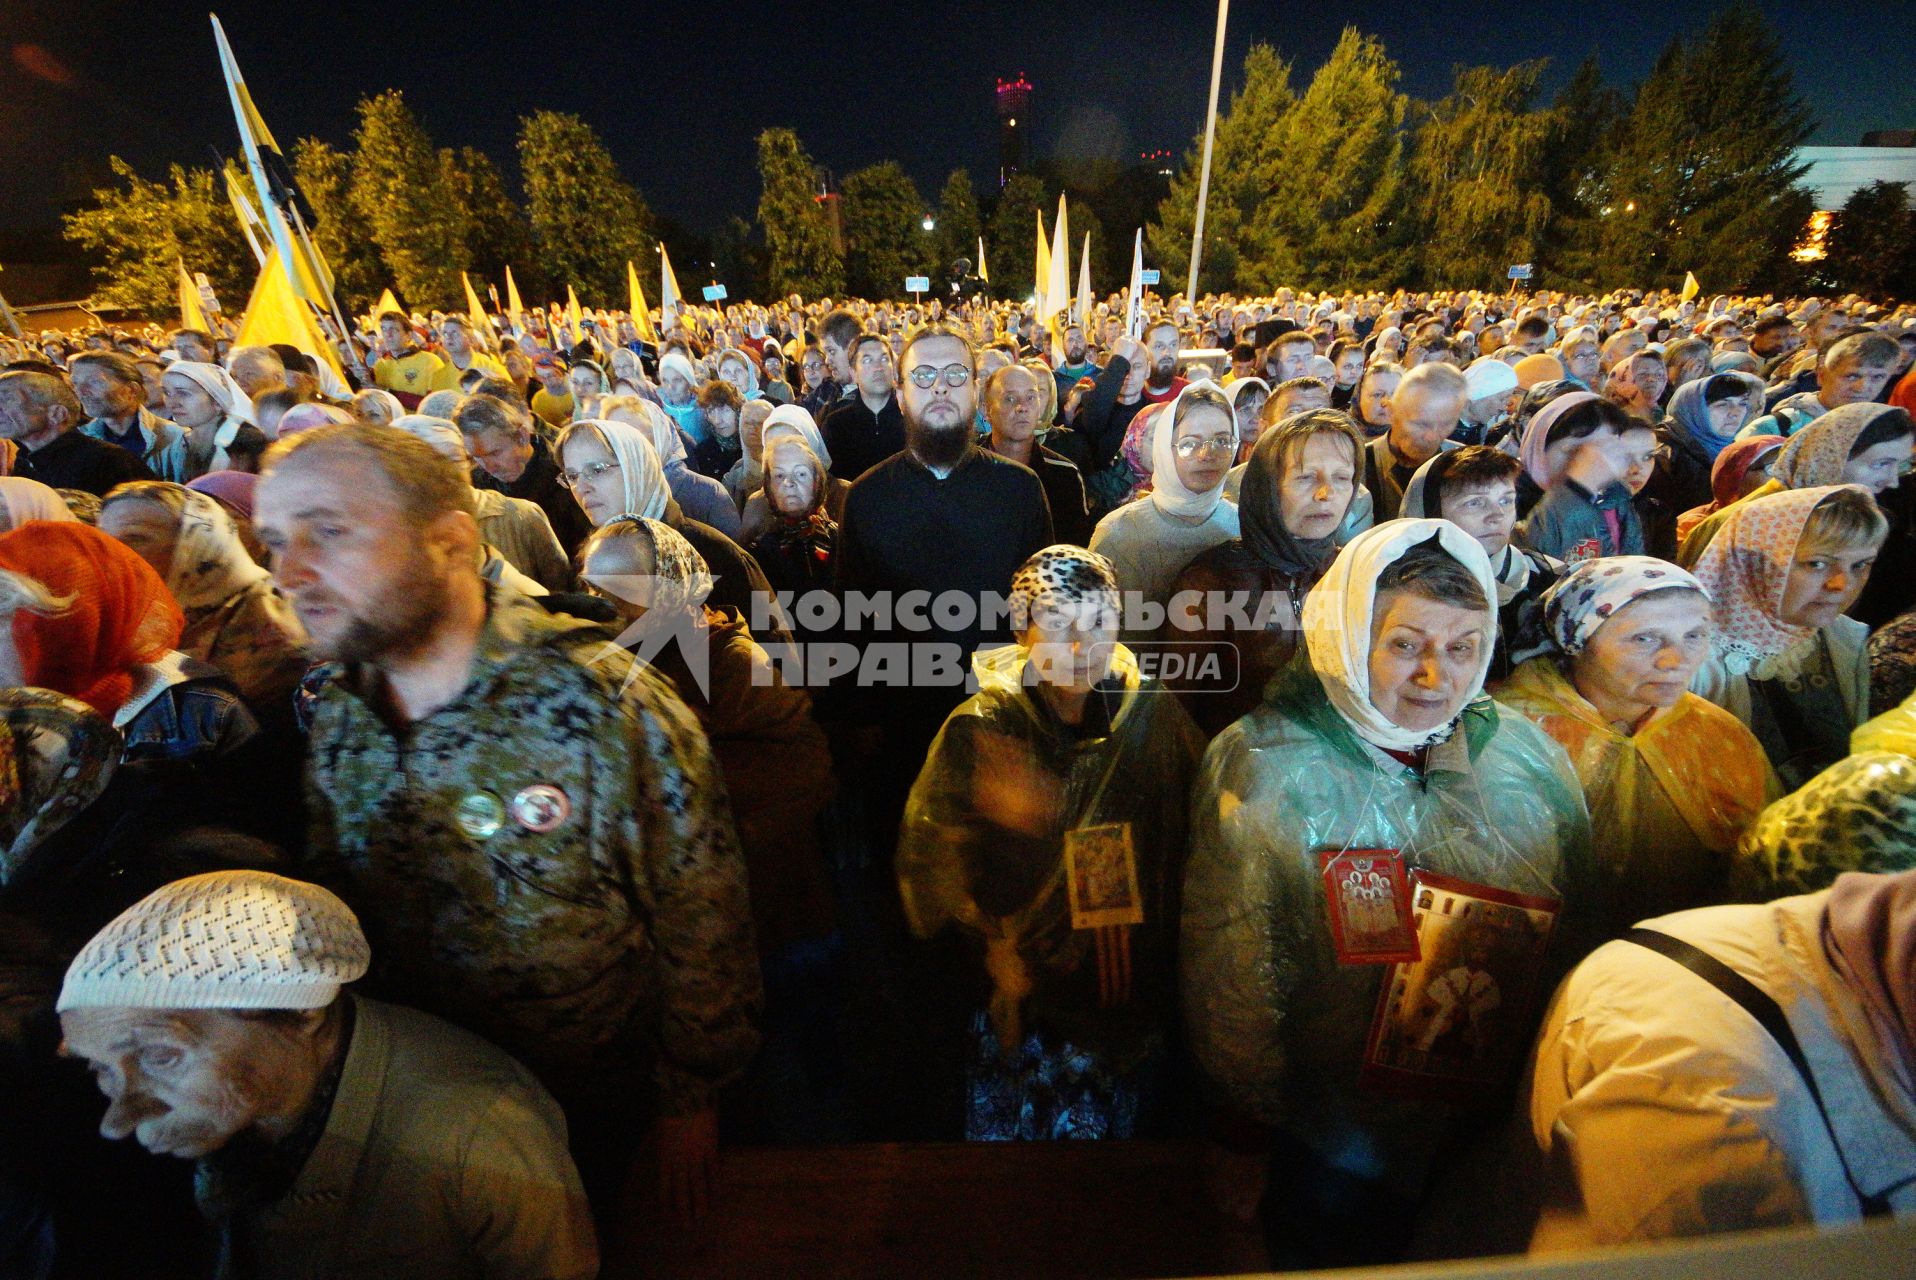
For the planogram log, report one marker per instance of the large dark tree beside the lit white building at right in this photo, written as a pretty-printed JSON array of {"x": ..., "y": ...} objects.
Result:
[{"x": 1702, "y": 171}]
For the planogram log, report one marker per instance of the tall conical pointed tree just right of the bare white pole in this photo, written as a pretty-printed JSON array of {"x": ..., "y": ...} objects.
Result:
[{"x": 1333, "y": 210}]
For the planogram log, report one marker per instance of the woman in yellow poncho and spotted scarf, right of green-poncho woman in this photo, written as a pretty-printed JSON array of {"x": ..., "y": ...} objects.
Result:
[{"x": 1676, "y": 779}]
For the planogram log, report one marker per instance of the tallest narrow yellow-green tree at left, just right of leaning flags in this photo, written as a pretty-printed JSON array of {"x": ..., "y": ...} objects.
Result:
[{"x": 403, "y": 196}]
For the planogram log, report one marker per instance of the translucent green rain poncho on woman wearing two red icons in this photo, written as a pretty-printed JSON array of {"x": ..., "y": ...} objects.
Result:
[{"x": 1277, "y": 1022}]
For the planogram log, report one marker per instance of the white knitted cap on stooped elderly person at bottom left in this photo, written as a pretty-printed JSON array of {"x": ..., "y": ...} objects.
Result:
[{"x": 229, "y": 942}]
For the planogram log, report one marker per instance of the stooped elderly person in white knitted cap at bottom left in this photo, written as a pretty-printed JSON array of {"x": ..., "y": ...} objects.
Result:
[{"x": 334, "y": 1135}]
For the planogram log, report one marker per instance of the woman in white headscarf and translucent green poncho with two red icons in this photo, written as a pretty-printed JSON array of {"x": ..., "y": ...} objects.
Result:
[{"x": 1386, "y": 875}]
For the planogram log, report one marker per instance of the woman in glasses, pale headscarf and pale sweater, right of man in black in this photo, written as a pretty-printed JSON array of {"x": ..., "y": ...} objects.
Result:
[{"x": 1149, "y": 541}]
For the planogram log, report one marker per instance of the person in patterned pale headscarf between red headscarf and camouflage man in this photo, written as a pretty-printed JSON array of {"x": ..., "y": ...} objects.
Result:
[{"x": 235, "y": 618}]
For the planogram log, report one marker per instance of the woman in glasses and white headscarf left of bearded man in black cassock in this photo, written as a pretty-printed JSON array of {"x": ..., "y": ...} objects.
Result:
[{"x": 614, "y": 472}]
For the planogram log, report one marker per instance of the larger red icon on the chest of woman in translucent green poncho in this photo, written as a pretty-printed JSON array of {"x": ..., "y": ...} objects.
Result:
[{"x": 1451, "y": 1022}]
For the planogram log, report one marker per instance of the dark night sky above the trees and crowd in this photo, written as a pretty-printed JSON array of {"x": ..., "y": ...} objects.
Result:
[{"x": 679, "y": 97}]
